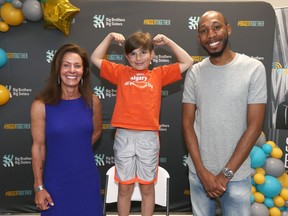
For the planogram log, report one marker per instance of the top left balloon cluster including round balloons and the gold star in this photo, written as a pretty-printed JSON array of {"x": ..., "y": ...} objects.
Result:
[{"x": 56, "y": 13}]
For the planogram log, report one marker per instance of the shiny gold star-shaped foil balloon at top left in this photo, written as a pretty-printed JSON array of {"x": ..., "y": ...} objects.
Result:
[{"x": 58, "y": 14}]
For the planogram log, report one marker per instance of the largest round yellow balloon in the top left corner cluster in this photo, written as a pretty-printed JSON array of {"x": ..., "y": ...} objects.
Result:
[{"x": 10, "y": 15}]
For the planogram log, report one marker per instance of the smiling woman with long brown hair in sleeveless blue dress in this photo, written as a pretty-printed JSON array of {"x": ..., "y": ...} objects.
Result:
[{"x": 66, "y": 120}]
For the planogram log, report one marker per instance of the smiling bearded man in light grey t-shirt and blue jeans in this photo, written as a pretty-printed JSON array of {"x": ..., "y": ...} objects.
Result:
[{"x": 224, "y": 103}]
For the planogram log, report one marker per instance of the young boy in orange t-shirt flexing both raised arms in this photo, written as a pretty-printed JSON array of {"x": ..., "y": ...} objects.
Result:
[{"x": 137, "y": 110}]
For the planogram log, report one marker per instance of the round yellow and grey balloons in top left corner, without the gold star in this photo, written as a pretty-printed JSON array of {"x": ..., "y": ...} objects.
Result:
[{"x": 14, "y": 12}]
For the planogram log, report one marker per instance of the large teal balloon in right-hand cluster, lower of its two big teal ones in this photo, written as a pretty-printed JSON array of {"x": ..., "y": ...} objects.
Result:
[{"x": 271, "y": 187}]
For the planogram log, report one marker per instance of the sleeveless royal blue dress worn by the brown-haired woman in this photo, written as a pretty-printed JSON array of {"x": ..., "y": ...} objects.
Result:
[{"x": 71, "y": 175}]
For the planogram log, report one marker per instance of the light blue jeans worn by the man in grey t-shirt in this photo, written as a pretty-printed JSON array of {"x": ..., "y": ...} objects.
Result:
[{"x": 234, "y": 202}]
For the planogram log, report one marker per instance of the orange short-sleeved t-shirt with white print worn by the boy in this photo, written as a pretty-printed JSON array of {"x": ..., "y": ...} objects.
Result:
[{"x": 138, "y": 98}]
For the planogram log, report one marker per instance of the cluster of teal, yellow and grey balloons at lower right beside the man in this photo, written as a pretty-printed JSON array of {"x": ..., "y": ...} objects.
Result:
[{"x": 269, "y": 180}]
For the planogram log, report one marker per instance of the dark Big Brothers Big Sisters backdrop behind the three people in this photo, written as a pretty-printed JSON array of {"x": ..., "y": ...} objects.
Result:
[{"x": 30, "y": 48}]
